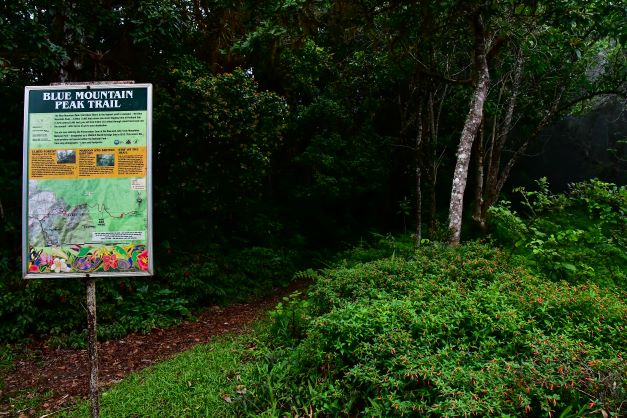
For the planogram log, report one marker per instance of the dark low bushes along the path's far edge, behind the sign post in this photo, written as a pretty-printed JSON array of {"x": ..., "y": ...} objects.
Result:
[{"x": 53, "y": 309}]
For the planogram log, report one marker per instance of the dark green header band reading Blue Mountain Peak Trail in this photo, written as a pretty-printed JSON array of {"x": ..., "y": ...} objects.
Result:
[{"x": 87, "y": 100}]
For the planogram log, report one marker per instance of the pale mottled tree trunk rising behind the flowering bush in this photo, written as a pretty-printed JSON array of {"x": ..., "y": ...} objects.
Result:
[{"x": 471, "y": 127}]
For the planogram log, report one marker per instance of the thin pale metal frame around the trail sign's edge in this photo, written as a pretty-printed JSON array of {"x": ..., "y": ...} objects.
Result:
[{"x": 74, "y": 89}]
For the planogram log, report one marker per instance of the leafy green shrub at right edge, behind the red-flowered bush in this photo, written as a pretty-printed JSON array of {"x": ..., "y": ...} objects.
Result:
[{"x": 578, "y": 236}]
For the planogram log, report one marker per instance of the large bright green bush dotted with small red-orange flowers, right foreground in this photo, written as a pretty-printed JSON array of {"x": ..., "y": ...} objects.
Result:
[{"x": 448, "y": 332}]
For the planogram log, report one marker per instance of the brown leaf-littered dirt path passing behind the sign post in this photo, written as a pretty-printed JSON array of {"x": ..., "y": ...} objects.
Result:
[{"x": 60, "y": 376}]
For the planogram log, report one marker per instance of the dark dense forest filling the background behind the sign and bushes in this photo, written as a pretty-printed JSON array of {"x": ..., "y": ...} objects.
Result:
[{"x": 287, "y": 130}]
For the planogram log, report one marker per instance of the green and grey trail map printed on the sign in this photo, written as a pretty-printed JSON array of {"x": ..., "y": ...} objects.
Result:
[{"x": 66, "y": 212}]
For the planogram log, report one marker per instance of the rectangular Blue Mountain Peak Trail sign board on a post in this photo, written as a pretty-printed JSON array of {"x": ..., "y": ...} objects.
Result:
[{"x": 87, "y": 208}]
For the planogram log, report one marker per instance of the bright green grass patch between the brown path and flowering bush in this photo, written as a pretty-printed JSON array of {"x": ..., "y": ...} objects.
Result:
[{"x": 192, "y": 384}]
